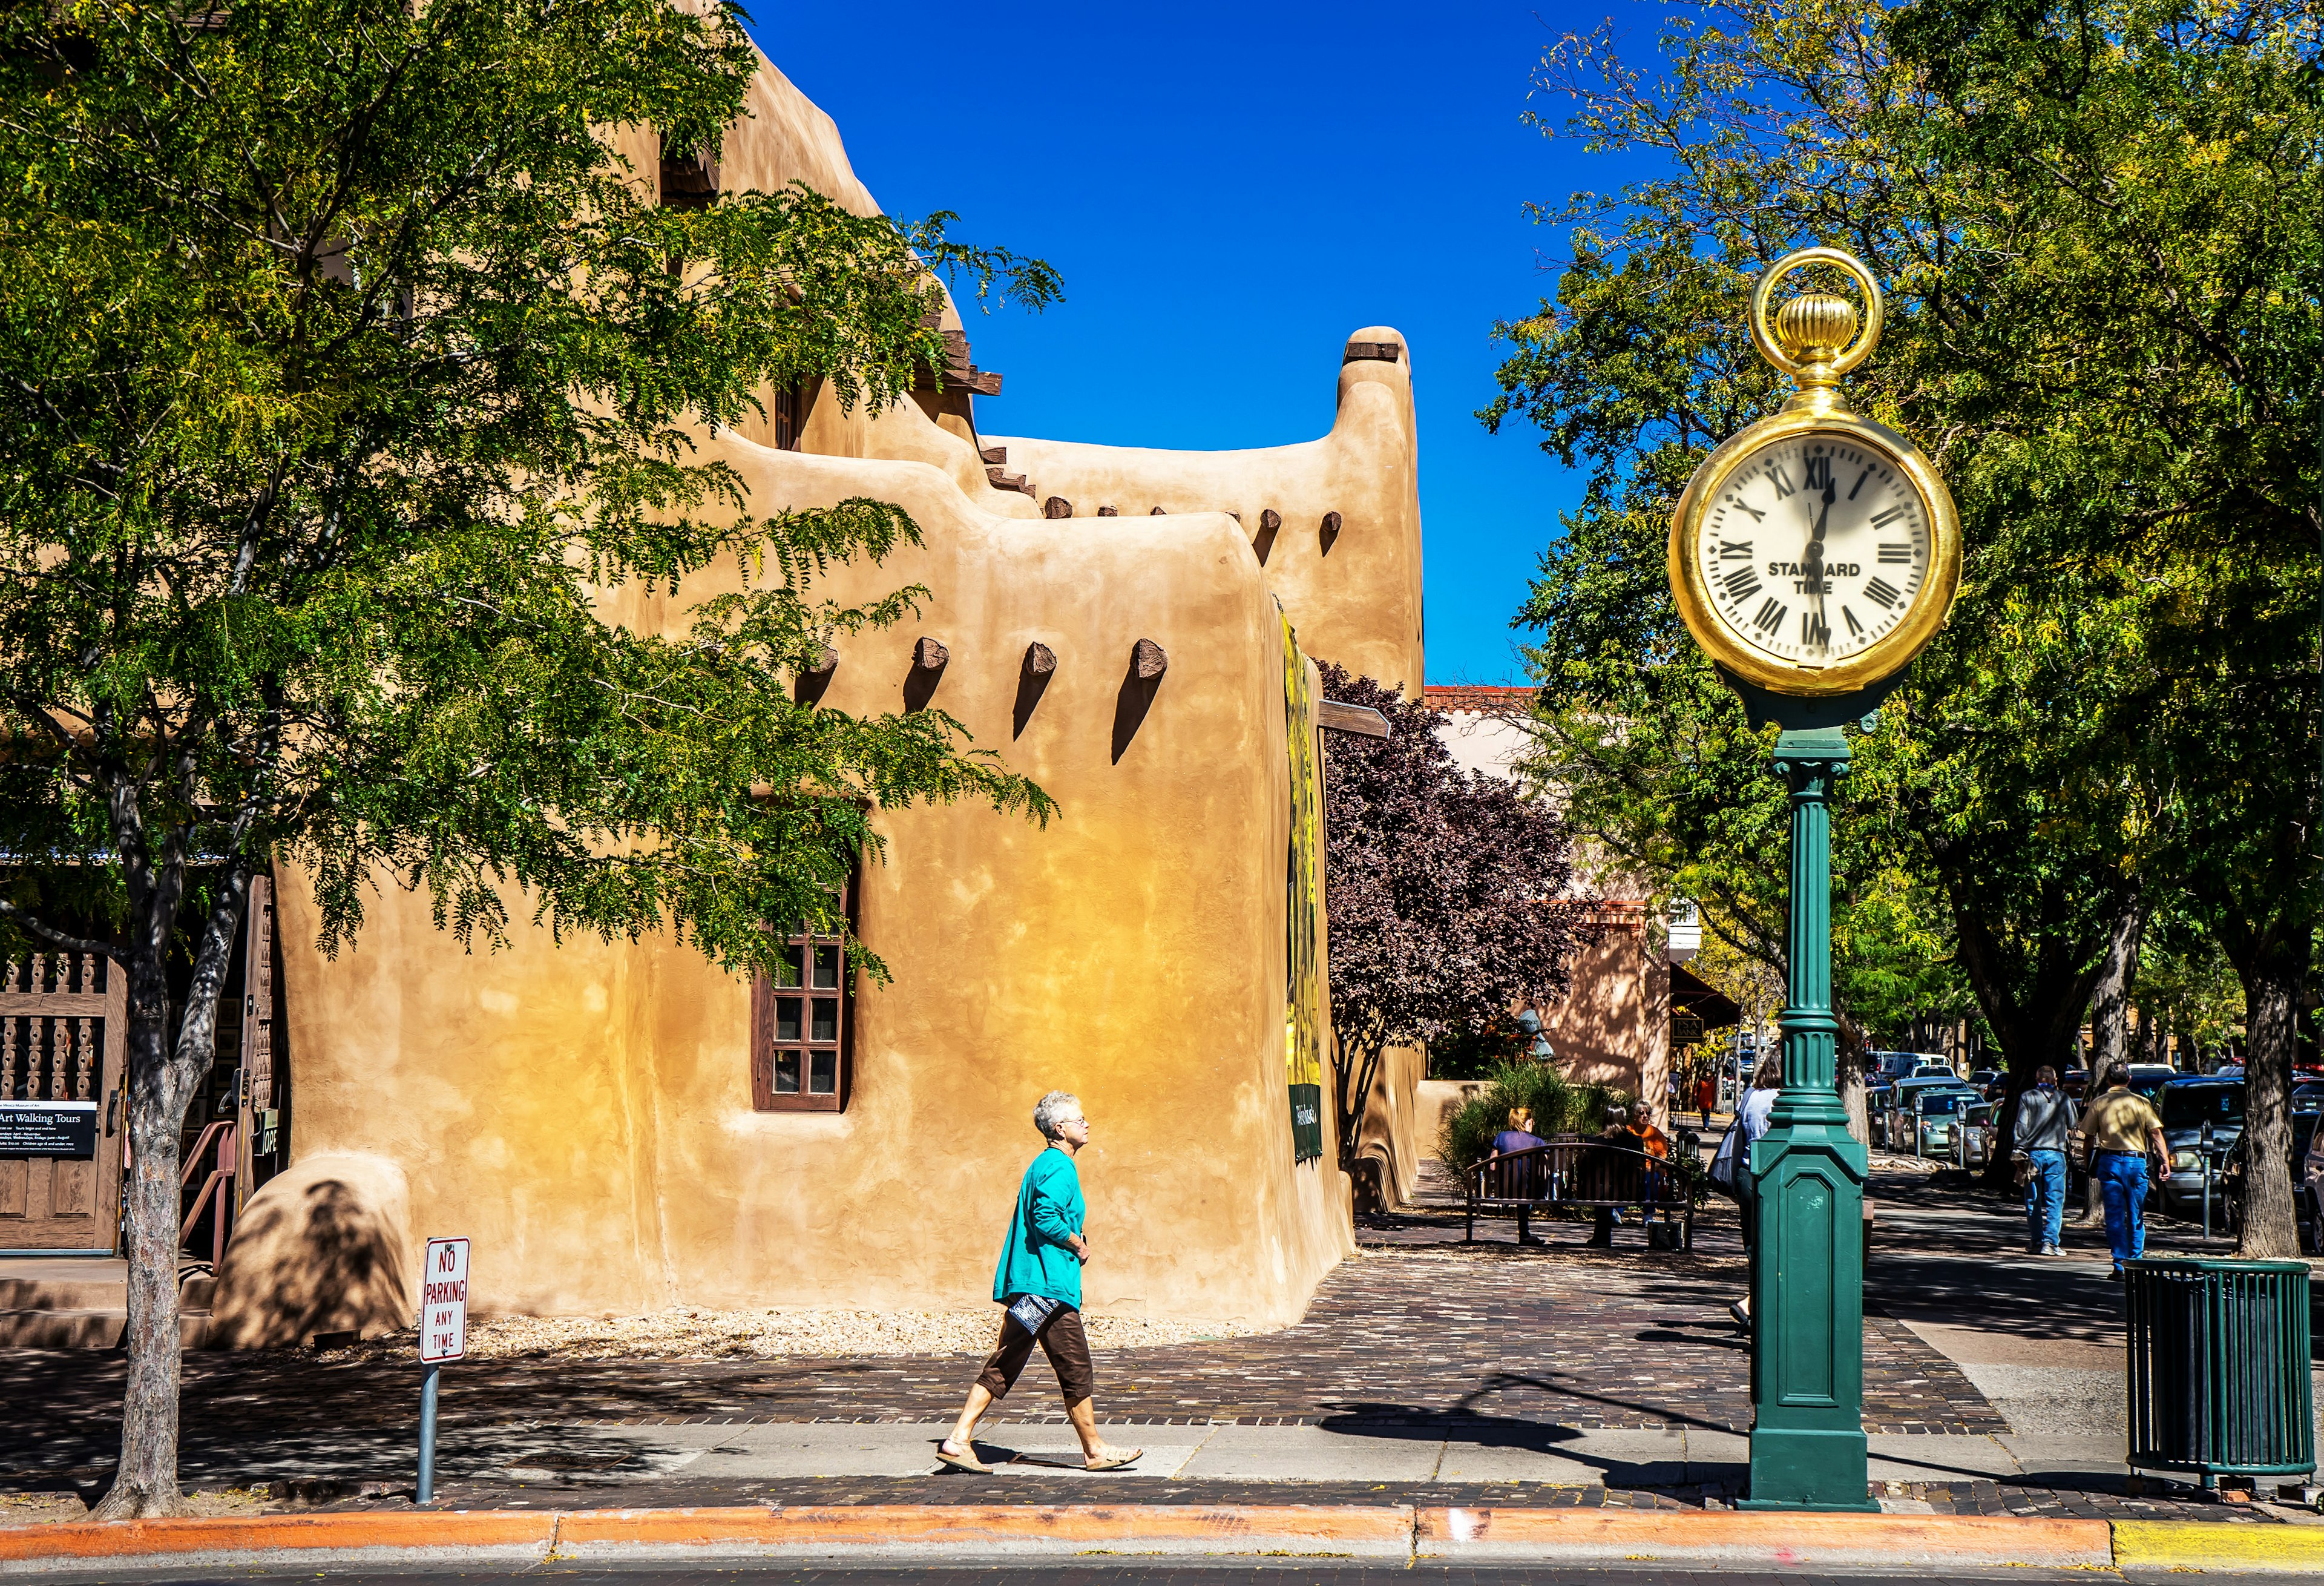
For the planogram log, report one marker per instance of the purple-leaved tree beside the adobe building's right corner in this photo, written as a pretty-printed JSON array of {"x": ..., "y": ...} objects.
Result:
[{"x": 1447, "y": 892}]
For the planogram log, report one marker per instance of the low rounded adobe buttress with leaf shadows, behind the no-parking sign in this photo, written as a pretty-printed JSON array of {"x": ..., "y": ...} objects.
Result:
[{"x": 320, "y": 1250}]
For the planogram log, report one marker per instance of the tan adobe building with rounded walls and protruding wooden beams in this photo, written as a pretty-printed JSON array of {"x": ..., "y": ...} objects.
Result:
[{"x": 622, "y": 1129}]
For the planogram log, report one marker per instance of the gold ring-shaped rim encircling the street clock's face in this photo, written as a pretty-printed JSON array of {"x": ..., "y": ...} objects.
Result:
[{"x": 1823, "y": 415}]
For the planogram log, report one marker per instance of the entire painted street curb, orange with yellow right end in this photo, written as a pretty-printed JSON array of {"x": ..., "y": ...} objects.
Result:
[{"x": 1396, "y": 1534}]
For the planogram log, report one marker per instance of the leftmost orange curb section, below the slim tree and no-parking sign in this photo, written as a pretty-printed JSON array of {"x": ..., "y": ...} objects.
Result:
[{"x": 266, "y": 1534}]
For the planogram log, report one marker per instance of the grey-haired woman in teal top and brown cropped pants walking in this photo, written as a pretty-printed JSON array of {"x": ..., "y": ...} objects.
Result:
[{"x": 1040, "y": 1283}]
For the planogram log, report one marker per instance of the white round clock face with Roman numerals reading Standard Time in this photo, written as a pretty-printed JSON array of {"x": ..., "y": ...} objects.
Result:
[{"x": 1814, "y": 550}]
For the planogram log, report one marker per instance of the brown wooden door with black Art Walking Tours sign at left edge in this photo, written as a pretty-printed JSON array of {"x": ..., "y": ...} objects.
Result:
[{"x": 64, "y": 1024}]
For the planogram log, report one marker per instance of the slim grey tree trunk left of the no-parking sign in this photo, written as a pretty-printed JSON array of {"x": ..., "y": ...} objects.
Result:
[{"x": 145, "y": 1485}]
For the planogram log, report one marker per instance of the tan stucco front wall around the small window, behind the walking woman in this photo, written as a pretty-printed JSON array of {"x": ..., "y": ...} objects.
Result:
[{"x": 584, "y": 1110}]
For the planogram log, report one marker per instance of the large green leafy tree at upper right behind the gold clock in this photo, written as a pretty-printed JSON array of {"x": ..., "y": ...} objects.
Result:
[{"x": 2097, "y": 224}]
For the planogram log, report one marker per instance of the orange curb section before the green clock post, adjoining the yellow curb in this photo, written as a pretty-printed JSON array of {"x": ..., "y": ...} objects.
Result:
[{"x": 1786, "y": 1538}]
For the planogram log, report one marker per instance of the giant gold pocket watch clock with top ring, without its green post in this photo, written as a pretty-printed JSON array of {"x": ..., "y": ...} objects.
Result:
[{"x": 1816, "y": 552}]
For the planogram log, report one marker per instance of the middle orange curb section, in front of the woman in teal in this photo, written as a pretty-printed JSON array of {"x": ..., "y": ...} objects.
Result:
[{"x": 1200, "y": 1529}]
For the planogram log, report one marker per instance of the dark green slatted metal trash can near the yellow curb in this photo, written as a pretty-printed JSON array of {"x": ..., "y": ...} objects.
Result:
[{"x": 2221, "y": 1369}]
